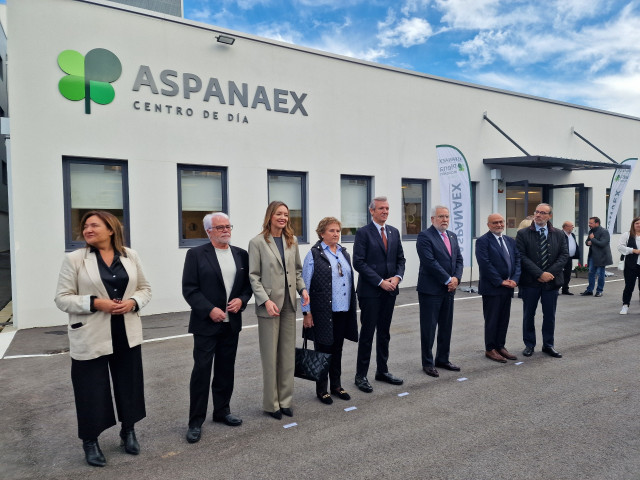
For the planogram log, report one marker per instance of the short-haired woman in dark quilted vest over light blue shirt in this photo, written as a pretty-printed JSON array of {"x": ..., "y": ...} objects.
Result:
[{"x": 330, "y": 317}]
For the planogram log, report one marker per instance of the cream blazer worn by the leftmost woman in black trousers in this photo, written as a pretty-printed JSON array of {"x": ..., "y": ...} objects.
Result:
[{"x": 79, "y": 280}]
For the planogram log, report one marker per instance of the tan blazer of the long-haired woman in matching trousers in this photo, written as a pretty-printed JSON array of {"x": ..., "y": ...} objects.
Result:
[{"x": 267, "y": 274}]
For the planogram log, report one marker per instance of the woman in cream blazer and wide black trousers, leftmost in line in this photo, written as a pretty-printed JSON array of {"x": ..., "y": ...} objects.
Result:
[{"x": 102, "y": 288}]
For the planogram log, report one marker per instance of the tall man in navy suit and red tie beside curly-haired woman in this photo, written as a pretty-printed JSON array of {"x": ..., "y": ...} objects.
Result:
[{"x": 379, "y": 259}]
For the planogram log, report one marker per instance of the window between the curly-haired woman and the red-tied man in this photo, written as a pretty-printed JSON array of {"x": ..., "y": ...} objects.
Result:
[{"x": 355, "y": 195}]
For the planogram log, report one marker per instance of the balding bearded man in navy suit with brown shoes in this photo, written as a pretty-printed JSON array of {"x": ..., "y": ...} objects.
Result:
[{"x": 499, "y": 265}]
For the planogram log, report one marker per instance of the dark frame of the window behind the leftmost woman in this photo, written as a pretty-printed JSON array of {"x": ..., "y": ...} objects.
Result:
[{"x": 67, "y": 161}]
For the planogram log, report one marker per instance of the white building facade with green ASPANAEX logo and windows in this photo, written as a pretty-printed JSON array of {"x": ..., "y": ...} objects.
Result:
[{"x": 153, "y": 118}]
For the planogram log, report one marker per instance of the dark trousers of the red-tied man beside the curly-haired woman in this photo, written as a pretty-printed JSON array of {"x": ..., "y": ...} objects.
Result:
[{"x": 375, "y": 313}]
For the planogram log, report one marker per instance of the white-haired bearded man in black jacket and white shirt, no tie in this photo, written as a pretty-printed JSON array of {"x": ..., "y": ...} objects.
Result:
[{"x": 215, "y": 283}]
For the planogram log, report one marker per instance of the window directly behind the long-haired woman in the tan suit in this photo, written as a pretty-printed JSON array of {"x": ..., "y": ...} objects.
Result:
[{"x": 291, "y": 188}]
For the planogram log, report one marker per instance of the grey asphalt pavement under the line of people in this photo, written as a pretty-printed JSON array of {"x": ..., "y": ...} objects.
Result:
[{"x": 538, "y": 418}]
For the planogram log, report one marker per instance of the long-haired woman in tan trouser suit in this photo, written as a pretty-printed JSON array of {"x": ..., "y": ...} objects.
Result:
[{"x": 275, "y": 272}]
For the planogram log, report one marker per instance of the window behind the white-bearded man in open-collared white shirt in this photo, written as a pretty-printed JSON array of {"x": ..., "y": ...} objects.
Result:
[{"x": 201, "y": 190}]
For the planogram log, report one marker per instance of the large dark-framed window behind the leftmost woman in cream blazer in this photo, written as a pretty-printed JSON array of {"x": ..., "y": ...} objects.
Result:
[{"x": 93, "y": 185}]
